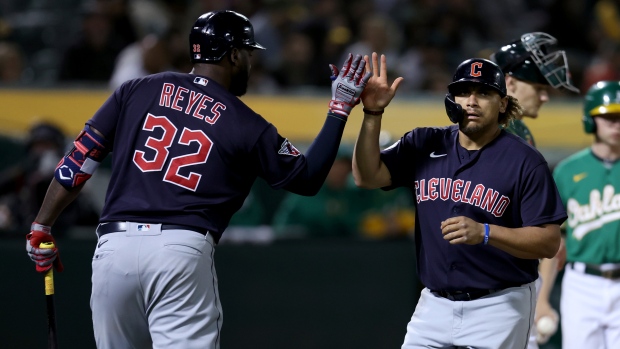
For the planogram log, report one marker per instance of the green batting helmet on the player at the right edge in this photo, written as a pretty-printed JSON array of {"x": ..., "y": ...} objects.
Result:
[{"x": 602, "y": 98}]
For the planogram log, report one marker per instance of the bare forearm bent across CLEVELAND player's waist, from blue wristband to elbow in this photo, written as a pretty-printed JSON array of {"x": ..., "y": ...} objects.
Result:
[{"x": 527, "y": 242}]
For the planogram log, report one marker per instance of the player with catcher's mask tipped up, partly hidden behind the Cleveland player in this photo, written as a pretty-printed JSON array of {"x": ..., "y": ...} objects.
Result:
[{"x": 532, "y": 66}]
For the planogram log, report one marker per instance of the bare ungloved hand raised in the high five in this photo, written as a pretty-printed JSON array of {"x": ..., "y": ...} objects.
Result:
[{"x": 378, "y": 94}]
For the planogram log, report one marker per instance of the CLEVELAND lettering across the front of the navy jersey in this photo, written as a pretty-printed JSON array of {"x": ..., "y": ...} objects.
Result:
[{"x": 462, "y": 191}]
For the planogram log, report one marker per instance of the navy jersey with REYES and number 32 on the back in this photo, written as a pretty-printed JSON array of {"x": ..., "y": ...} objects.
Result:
[{"x": 187, "y": 151}]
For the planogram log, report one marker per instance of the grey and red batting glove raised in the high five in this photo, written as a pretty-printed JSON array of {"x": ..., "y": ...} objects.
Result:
[{"x": 347, "y": 86}]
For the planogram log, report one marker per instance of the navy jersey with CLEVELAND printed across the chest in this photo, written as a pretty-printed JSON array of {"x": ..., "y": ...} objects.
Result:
[{"x": 506, "y": 183}]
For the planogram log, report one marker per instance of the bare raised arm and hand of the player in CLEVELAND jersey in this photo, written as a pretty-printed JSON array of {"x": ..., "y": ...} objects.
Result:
[{"x": 368, "y": 169}]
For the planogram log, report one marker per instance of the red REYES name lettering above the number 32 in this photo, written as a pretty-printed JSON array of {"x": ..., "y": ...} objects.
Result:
[{"x": 182, "y": 99}]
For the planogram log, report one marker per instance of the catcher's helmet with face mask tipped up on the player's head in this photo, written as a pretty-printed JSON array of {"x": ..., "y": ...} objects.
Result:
[{"x": 533, "y": 59}]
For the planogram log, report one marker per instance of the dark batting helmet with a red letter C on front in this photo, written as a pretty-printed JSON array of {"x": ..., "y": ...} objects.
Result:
[{"x": 478, "y": 71}]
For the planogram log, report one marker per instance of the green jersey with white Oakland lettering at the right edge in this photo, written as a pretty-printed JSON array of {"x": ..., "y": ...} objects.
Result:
[{"x": 589, "y": 187}]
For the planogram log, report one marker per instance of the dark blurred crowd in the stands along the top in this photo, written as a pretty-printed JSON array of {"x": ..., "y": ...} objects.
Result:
[{"x": 104, "y": 42}]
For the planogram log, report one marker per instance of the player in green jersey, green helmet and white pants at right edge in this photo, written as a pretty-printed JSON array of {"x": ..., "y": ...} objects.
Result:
[{"x": 589, "y": 184}]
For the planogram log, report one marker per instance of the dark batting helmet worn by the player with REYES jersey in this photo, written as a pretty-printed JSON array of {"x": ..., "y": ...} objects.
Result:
[{"x": 215, "y": 33}]
